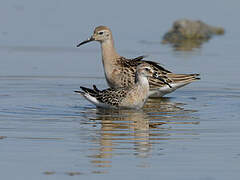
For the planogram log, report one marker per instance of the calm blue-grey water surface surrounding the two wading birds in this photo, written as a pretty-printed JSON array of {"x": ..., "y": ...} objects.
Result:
[{"x": 49, "y": 132}]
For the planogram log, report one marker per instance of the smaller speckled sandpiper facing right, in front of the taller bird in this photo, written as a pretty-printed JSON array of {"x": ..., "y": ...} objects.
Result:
[{"x": 133, "y": 96}]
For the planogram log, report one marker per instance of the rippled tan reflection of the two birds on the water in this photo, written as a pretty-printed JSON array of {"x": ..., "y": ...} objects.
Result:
[{"x": 124, "y": 132}]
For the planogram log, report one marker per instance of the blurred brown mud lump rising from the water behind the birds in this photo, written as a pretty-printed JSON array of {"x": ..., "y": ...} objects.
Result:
[{"x": 188, "y": 30}]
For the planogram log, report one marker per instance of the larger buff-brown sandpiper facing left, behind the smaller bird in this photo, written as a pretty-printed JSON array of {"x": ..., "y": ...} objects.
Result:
[{"x": 120, "y": 71}]
